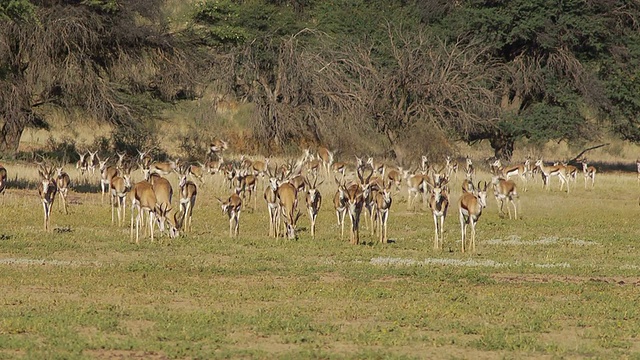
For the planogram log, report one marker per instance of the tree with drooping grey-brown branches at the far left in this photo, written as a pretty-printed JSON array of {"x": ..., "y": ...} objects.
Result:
[{"x": 98, "y": 56}]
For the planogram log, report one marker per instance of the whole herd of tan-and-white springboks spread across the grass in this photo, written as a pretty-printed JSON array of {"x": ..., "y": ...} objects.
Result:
[{"x": 360, "y": 185}]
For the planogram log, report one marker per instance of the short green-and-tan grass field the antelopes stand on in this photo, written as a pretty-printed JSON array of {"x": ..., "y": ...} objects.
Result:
[{"x": 561, "y": 282}]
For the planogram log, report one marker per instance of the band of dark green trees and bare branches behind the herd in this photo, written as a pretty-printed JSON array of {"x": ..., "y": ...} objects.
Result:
[{"x": 411, "y": 75}]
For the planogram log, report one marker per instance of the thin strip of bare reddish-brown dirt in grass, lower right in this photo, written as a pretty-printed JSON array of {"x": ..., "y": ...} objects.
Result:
[{"x": 568, "y": 279}]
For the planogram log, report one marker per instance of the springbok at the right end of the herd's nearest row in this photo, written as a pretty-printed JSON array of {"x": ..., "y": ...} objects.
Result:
[{"x": 470, "y": 209}]
